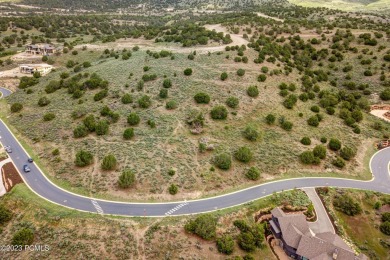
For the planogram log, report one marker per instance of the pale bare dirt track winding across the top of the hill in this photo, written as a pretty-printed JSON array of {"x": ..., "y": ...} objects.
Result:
[{"x": 151, "y": 45}]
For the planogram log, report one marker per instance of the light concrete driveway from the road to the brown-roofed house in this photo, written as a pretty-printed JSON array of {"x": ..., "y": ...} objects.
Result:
[{"x": 323, "y": 223}]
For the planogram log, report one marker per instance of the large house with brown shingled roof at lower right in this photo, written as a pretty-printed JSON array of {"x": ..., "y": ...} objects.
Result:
[{"x": 299, "y": 242}]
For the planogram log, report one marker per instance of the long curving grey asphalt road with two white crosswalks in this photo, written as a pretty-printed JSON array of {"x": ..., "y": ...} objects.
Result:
[{"x": 38, "y": 183}]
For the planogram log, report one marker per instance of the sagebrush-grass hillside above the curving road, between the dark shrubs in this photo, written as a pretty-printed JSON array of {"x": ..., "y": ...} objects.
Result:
[{"x": 155, "y": 151}]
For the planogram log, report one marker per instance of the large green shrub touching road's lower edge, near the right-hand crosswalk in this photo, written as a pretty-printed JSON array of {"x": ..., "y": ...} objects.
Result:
[{"x": 204, "y": 226}]
